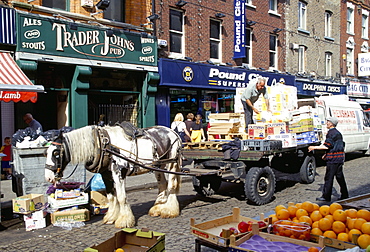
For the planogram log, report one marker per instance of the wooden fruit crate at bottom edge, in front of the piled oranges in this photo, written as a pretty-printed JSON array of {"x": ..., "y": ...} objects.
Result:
[{"x": 235, "y": 244}]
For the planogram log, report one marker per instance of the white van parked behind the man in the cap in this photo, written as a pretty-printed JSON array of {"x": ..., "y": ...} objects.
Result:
[{"x": 352, "y": 122}]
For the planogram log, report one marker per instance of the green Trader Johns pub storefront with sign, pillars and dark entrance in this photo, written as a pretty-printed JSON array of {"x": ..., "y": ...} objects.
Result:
[{"x": 90, "y": 72}]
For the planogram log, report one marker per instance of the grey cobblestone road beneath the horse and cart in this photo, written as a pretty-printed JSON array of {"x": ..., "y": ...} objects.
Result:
[{"x": 178, "y": 237}]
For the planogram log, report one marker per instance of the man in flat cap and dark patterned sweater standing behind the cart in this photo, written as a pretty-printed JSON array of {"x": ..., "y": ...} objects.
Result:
[{"x": 334, "y": 158}]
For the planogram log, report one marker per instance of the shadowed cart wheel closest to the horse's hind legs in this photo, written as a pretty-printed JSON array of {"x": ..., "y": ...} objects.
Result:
[{"x": 206, "y": 185}]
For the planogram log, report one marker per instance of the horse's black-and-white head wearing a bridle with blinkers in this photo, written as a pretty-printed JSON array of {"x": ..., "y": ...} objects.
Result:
[{"x": 56, "y": 160}]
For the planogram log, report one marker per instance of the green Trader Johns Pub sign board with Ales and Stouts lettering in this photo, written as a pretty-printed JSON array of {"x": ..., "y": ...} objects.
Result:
[{"x": 51, "y": 36}]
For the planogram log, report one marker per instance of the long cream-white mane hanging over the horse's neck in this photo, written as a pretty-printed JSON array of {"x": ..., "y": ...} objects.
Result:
[{"x": 81, "y": 144}]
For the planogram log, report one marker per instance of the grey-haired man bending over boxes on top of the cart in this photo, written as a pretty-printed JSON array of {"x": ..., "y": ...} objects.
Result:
[{"x": 250, "y": 96}]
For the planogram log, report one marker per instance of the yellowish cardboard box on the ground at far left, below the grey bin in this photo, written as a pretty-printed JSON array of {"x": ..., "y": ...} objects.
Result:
[{"x": 28, "y": 203}]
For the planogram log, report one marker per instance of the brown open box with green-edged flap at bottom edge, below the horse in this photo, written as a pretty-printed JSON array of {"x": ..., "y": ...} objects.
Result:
[{"x": 131, "y": 239}]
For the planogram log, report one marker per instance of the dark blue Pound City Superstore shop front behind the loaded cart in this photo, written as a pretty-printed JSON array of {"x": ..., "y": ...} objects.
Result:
[{"x": 189, "y": 87}]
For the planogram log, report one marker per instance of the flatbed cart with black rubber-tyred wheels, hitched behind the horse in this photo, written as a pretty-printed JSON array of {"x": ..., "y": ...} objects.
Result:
[{"x": 253, "y": 167}]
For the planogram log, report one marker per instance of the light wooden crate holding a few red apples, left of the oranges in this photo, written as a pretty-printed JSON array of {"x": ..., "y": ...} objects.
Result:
[{"x": 211, "y": 230}]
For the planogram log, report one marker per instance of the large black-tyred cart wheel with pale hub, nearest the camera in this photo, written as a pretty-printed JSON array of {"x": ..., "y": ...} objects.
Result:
[{"x": 260, "y": 185}]
